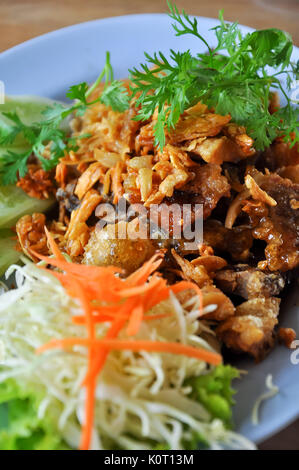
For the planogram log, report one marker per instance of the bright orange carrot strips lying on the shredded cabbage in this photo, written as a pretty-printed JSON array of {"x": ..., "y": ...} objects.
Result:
[{"x": 105, "y": 297}]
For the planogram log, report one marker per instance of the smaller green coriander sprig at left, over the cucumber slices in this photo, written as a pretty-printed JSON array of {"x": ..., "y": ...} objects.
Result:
[{"x": 13, "y": 164}]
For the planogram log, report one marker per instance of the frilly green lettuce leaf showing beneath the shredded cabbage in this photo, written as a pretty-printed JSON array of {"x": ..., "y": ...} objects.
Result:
[{"x": 21, "y": 428}]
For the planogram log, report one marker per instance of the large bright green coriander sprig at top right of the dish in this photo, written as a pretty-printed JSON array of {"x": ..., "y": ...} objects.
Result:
[{"x": 232, "y": 77}]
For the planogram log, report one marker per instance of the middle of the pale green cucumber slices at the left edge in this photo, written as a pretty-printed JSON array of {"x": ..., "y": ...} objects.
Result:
[{"x": 14, "y": 203}]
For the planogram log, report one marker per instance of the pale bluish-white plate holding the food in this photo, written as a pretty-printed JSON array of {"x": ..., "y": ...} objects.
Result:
[{"x": 49, "y": 64}]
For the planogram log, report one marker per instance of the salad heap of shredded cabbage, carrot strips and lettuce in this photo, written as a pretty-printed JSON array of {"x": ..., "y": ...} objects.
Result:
[{"x": 135, "y": 397}]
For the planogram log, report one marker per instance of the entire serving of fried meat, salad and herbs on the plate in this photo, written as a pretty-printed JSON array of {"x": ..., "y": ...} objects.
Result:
[{"x": 112, "y": 336}]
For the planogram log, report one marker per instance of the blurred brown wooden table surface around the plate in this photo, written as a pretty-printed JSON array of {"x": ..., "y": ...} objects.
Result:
[{"x": 21, "y": 20}]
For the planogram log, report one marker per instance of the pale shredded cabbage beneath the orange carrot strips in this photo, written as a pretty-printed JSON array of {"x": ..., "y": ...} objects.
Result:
[{"x": 143, "y": 400}]
